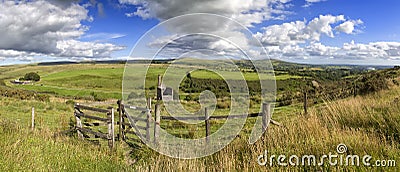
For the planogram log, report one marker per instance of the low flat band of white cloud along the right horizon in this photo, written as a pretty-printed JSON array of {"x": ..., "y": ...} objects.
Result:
[{"x": 349, "y": 51}]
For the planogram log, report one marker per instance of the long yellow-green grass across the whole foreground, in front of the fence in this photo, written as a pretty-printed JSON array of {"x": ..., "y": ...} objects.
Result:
[{"x": 367, "y": 125}]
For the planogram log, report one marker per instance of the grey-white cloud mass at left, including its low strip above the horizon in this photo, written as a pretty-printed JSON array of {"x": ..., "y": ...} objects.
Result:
[{"x": 39, "y": 27}]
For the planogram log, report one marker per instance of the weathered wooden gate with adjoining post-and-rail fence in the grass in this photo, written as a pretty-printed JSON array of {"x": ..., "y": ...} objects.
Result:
[{"x": 128, "y": 123}]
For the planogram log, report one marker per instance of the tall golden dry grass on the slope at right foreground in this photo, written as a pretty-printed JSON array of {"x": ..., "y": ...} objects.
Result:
[{"x": 367, "y": 125}]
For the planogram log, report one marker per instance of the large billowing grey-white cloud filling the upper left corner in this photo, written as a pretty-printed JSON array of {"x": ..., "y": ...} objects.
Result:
[{"x": 37, "y": 26}]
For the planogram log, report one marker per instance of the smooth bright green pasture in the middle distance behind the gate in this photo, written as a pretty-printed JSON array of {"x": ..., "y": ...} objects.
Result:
[{"x": 98, "y": 81}]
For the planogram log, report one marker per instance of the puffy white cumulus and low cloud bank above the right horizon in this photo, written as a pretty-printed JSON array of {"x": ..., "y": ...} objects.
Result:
[{"x": 300, "y": 40}]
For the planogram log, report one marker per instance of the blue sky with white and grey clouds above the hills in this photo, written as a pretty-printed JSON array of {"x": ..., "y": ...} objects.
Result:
[{"x": 305, "y": 31}]
